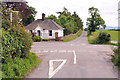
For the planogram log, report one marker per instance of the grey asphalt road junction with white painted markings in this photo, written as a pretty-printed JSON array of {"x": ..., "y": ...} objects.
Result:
[{"x": 75, "y": 59}]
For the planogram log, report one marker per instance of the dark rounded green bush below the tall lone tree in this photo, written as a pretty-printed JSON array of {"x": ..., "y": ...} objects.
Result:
[{"x": 102, "y": 38}]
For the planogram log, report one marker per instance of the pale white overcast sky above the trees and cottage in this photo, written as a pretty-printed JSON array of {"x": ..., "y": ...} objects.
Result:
[{"x": 108, "y": 8}]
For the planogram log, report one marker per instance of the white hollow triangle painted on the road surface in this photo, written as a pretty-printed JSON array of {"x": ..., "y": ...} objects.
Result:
[{"x": 51, "y": 72}]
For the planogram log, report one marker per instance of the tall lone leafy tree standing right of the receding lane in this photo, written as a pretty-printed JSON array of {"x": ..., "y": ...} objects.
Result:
[{"x": 95, "y": 21}]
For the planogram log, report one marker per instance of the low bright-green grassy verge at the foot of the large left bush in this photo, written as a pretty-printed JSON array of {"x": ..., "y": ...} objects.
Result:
[{"x": 20, "y": 67}]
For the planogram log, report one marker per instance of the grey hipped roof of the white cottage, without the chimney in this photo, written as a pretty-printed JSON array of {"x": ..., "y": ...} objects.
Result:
[{"x": 47, "y": 24}]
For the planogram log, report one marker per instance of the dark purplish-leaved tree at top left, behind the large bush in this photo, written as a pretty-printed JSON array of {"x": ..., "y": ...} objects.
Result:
[{"x": 27, "y": 13}]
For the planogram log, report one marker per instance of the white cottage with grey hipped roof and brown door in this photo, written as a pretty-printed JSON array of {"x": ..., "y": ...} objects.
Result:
[{"x": 46, "y": 28}]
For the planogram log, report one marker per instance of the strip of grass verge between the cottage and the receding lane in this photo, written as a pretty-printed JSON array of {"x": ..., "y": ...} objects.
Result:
[{"x": 72, "y": 36}]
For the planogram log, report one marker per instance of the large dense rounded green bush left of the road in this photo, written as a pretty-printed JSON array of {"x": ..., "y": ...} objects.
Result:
[{"x": 16, "y": 42}]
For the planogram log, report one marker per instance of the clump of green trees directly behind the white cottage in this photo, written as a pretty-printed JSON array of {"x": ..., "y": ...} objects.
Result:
[{"x": 70, "y": 22}]
